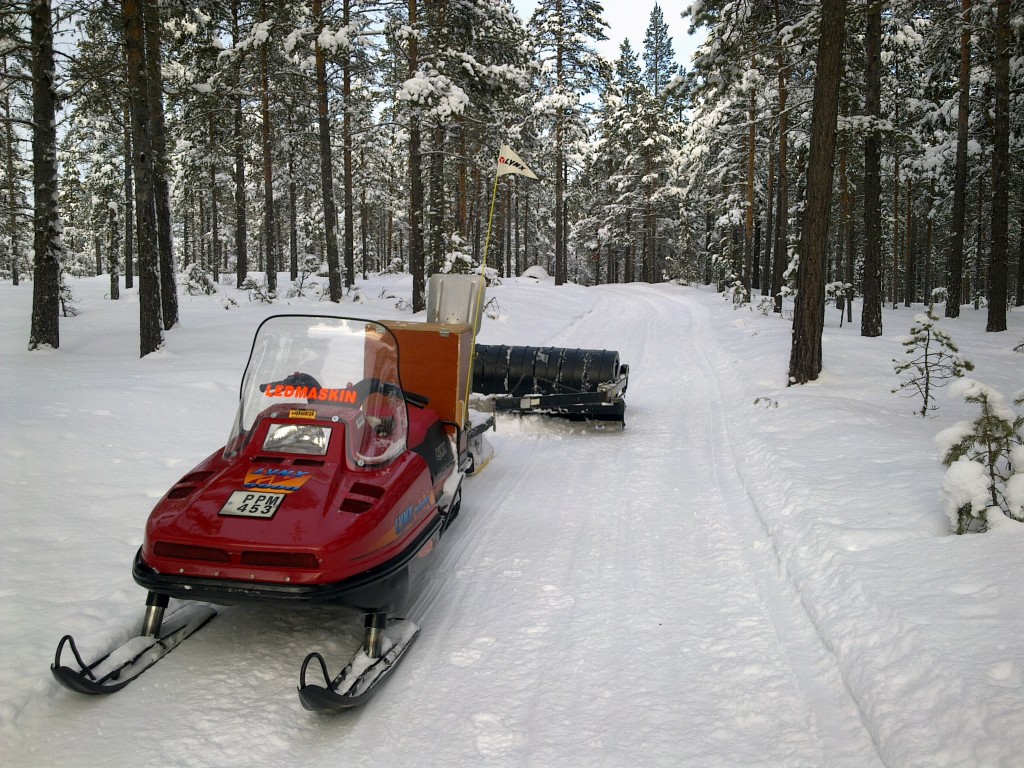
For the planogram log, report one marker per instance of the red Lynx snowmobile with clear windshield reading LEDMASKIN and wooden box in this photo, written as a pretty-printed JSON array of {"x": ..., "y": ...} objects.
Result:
[{"x": 334, "y": 488}]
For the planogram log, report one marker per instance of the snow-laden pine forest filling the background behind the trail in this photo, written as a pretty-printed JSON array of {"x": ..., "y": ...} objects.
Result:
[{"x": 836, "y": 149}]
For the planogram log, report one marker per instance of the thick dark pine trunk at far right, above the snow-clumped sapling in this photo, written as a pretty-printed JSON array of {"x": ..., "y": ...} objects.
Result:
[{"x": 998, "y": 267}]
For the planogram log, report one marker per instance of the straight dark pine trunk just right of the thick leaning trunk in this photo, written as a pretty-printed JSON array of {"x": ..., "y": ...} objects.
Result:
[{"x": 871, "y": 317}]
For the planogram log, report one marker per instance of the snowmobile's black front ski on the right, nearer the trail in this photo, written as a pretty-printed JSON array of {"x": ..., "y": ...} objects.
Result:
[{"x": 362, "y": 676}]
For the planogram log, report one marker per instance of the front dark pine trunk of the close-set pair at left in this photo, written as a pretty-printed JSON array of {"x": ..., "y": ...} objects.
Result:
[{"x": 151, "y": 323}]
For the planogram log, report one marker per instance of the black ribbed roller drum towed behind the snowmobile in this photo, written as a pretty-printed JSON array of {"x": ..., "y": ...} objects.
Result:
[{"x": 524, "y": 371}]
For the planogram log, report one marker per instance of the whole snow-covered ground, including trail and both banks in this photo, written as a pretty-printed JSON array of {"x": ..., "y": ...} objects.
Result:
[{"x": 749, "y": 575}]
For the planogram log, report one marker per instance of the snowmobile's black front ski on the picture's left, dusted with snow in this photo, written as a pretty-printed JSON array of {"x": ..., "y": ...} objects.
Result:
[{"x": 115, "y": 670}]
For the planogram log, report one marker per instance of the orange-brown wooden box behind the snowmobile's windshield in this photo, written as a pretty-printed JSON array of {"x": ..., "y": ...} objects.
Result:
[{"x": 436, "y": 361}]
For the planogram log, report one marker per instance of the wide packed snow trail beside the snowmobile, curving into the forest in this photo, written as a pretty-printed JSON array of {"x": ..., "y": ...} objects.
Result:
[{"x": 544, "y": 615}]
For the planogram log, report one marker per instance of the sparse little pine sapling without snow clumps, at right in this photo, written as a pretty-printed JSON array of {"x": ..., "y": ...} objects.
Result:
[{"x": 934, "y": 361}]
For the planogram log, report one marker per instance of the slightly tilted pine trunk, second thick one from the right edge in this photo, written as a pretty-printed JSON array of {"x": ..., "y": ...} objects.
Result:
[{"x": 955, "y": 260}]
